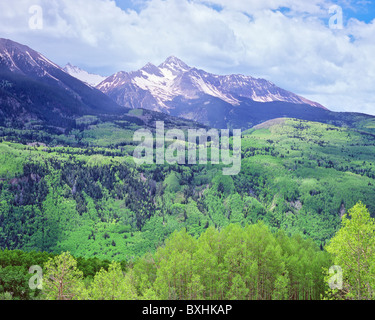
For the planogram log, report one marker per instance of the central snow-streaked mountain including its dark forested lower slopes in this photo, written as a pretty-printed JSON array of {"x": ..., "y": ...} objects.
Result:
[{"x": 232, "y": 101}]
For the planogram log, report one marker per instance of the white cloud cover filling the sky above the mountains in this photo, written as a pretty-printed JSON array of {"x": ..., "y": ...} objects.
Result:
[{"x": 286, "y": 41}]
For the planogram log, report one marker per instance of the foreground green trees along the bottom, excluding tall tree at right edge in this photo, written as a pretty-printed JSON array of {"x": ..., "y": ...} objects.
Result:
[{"x": 235, "y": 263}]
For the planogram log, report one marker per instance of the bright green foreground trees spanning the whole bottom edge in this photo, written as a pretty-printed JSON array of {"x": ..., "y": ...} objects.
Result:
[{"x": 235, "y": 263}]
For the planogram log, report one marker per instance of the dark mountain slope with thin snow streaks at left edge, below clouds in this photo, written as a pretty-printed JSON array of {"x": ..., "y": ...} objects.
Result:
[{"x": 33, "y": 90}]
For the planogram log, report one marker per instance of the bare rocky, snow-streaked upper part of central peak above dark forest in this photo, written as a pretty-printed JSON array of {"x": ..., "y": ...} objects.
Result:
[{"x": 157, "y": 87}]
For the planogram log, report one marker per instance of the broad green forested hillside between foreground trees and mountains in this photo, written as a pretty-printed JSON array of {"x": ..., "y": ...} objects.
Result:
[{"x": 297, "y": 176}]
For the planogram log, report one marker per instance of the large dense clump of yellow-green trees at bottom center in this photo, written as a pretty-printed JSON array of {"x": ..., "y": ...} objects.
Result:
[{"x": 235, "y": 263}]
